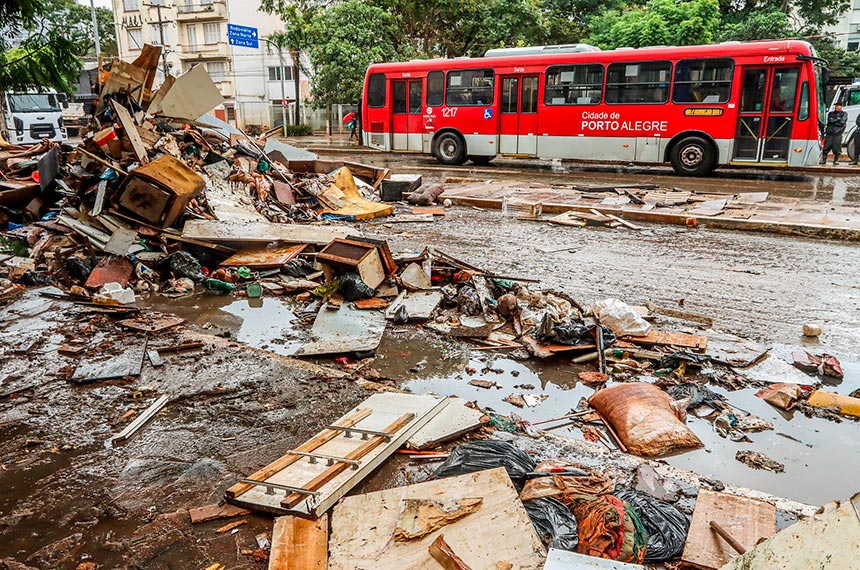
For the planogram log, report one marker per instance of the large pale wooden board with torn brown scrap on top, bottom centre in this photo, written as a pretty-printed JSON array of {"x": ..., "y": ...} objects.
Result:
[{"x": 500, "y": 531}]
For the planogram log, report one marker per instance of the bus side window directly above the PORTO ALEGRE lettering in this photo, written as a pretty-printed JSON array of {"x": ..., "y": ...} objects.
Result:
[{"x": 643, "y": 82}]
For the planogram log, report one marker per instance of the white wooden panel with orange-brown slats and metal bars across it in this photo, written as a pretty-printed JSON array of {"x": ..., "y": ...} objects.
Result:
[{"x": 353, "y": 458}]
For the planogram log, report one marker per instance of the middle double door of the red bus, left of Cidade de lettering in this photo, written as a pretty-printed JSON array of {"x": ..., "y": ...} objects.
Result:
[{"x": 518, "y": 115}]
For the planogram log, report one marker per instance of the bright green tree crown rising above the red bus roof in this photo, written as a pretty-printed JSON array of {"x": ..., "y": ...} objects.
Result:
[{"x": 659, "y": 22}]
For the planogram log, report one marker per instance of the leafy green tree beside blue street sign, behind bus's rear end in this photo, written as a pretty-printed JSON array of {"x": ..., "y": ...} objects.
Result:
[{"x": 343, "y": 41}]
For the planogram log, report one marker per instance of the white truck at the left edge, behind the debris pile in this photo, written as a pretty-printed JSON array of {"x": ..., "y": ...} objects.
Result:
[{"x": 33, "y": 115}]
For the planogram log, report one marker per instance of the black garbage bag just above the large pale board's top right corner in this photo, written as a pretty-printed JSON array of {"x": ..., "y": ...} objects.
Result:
[{"x": 480, "y": 455}]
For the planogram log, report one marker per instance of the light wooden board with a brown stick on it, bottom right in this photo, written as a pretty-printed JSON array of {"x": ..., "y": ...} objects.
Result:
[{"x": 745, "y": 519}]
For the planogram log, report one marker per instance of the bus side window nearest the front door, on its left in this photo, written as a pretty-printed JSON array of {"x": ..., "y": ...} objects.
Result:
[{"x": 703, "y": 81}]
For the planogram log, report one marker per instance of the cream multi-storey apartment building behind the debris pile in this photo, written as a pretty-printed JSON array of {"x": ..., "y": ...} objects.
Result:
[{"x": 194, "y": 32}]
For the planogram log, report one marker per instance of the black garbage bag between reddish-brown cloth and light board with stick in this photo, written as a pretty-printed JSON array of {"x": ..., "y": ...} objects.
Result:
[{"x": 667, "y": 526}]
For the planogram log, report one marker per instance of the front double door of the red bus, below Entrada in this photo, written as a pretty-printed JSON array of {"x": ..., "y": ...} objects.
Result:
[{"x": 766, "y": 112}]
